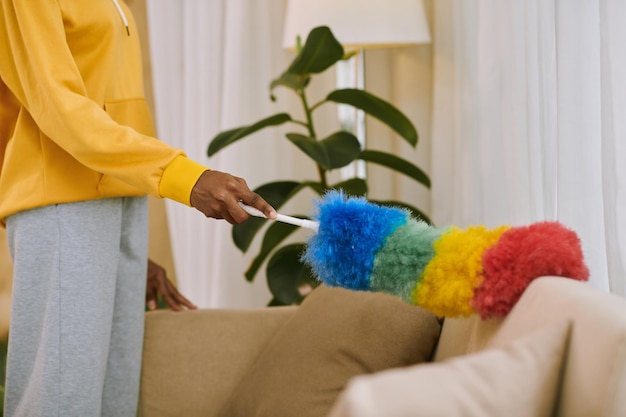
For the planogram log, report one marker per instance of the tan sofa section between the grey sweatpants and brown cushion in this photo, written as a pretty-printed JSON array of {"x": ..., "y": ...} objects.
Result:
[{"x": 192, "y": 360}]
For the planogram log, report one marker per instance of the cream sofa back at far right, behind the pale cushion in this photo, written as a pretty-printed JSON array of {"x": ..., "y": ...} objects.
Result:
[{"x": 594, "y": 378}]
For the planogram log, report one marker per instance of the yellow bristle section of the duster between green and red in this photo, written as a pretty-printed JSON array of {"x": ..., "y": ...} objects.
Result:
[{"x": 449, "y": 279}]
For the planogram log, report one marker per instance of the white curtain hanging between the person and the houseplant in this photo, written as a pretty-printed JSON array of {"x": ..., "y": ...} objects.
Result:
[{"x": 212, "y": 62}]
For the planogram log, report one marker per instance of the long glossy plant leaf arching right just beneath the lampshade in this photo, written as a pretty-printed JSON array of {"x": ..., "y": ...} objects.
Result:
[{"x": 378, "y": 108}]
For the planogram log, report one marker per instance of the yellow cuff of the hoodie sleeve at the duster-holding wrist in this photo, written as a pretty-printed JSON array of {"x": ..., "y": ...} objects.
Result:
[{"x": 179, "y": 178}]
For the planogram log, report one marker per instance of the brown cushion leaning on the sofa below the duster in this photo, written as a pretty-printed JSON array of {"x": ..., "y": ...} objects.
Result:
[{"x": 335, "y": 335}]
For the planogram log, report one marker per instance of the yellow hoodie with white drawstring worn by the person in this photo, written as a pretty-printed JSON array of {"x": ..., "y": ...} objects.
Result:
[{"x": 74, "y": 124}]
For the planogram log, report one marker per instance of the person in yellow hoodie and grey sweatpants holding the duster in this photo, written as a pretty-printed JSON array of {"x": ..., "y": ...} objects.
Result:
[{"x": 77, "y": 157}]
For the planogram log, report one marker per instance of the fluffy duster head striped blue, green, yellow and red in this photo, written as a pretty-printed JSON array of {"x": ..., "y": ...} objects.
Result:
[{"x": 449, "y": 271}]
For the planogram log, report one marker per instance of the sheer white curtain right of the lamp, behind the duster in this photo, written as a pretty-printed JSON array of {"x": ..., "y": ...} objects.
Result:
[{"x": 528, "y": 120}]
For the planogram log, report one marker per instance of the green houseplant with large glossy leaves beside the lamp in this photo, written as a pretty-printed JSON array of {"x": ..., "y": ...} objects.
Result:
[{"x": 286, "y": 275}]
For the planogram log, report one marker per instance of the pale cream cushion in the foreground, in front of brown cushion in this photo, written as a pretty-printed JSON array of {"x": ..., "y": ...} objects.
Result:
[{"x": 521, "y": 379}]
